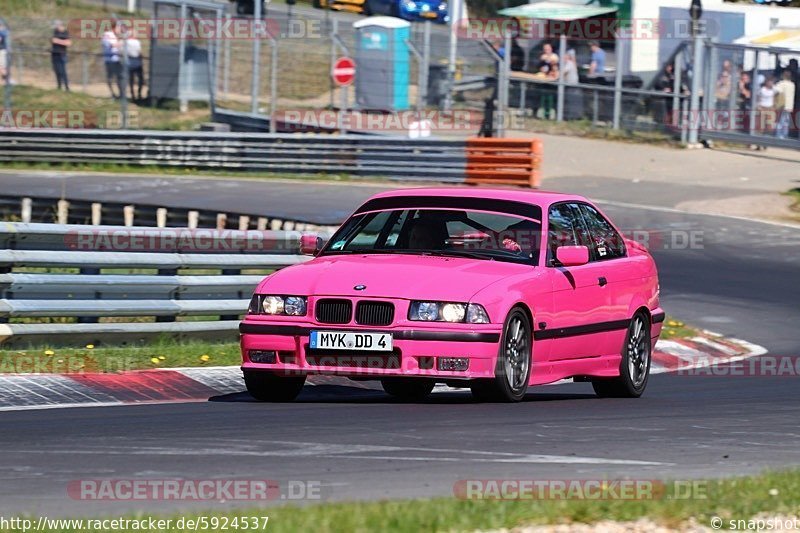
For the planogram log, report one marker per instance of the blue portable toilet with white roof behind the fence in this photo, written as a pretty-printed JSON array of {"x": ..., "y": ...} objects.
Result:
[{"x": 382, "y": 63}]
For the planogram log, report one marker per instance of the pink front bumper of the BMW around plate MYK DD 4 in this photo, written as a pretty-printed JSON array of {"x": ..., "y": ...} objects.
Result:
[{"x": 416, "y": 352}]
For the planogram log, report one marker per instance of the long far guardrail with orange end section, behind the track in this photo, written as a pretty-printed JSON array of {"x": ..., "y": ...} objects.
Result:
[{"x": 502, "y": 161}]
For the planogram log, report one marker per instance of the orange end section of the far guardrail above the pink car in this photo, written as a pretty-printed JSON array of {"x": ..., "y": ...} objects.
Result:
[{"x": 504, "y": 161}]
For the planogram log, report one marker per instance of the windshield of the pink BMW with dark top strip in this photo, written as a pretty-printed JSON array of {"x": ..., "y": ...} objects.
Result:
[{"x": 476, "y": 234}]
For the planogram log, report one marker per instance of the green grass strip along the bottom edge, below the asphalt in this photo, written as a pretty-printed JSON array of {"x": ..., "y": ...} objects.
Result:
[{"x": 735, "y": 498}]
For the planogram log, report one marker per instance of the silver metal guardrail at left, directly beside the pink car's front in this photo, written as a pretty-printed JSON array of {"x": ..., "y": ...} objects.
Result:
[{"x": 99, "y": 275}]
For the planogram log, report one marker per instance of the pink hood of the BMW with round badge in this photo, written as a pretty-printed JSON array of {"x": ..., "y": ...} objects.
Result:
[{"x": 391, "y": 276}]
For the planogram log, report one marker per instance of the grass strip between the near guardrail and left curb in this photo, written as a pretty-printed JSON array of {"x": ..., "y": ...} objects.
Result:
[{"x": 161, "y": 354}]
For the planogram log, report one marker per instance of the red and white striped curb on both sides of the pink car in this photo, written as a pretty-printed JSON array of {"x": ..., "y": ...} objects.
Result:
[{"x": 177, "y": 385}]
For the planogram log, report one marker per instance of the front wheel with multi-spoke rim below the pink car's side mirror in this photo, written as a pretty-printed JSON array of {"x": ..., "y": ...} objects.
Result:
[{"x": 513, "y": 370}]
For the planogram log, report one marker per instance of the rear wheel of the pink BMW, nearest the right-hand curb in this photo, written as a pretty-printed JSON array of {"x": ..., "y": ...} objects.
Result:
[{"x": 634, "y": 369}]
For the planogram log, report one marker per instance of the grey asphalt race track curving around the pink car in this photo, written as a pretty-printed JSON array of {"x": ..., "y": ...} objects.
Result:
[{"x": 740, "y": 279}]
